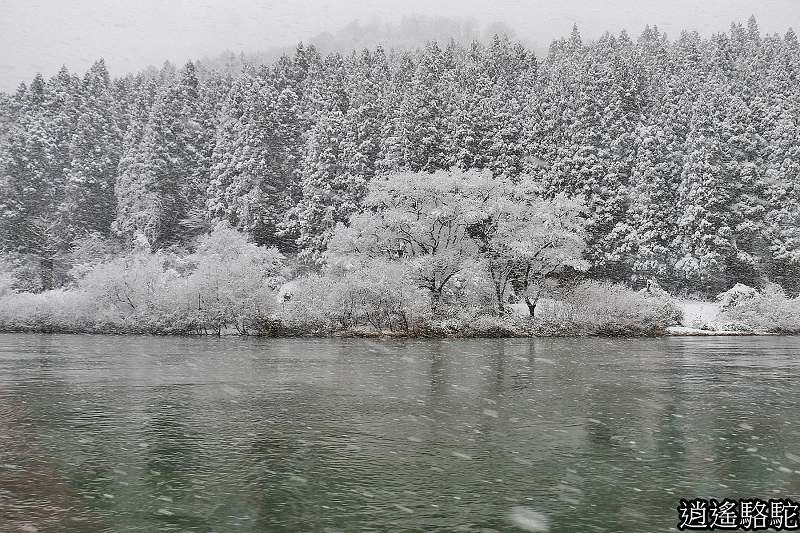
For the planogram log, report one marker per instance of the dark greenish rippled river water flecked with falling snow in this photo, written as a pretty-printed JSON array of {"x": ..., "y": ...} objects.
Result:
[{"x": 195, "y": 434}]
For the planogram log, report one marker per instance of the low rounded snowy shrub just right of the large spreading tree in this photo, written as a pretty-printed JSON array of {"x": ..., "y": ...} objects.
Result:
[{"x": 613, "y": 309}]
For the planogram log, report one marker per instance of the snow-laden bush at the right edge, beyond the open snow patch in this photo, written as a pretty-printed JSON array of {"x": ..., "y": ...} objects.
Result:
[{"x": 767, "y": 311}]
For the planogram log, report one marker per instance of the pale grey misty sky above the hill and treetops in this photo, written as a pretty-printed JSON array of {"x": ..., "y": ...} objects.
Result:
[{"x": 40, "y": 35}]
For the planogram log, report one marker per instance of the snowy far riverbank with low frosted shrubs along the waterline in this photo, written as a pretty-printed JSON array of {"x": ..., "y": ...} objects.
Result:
[{"x": 383, "y": 307}]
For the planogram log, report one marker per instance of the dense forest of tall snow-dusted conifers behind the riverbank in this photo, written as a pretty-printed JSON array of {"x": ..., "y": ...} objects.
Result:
[{"x": 685, "y": 153}]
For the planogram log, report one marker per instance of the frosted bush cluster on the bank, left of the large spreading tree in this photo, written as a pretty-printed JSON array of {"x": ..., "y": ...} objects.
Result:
[{"x": 225, "y": 283}]
